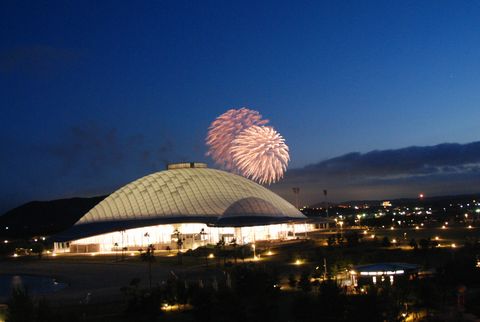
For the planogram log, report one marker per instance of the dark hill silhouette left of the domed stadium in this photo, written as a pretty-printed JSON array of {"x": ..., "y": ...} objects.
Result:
[{"x": 43, "y": 218}]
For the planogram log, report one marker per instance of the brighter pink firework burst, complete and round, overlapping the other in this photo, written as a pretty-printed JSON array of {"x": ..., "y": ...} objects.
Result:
[{"x": 260, "y": 153}]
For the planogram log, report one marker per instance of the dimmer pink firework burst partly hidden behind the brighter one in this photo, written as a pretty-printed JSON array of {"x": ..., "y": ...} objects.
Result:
[{"x": 225, "y": 129}]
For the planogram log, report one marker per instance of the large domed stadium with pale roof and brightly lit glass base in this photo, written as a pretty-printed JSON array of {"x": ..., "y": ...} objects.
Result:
[{"x": 188, "y": 201}]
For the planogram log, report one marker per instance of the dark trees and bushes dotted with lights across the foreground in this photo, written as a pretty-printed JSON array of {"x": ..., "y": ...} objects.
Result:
[{"x": 275, "y": 289}]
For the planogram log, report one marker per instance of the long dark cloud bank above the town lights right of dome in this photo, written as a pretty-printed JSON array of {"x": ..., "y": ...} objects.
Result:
[{"x": 441, "y": 169}]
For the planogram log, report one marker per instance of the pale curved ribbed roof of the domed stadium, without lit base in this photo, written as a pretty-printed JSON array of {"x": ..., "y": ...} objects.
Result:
[{"x": 189, "y": 193}]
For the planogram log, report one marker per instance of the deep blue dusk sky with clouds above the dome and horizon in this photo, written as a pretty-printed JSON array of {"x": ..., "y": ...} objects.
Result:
[{"x": 96, "y": 94}]
